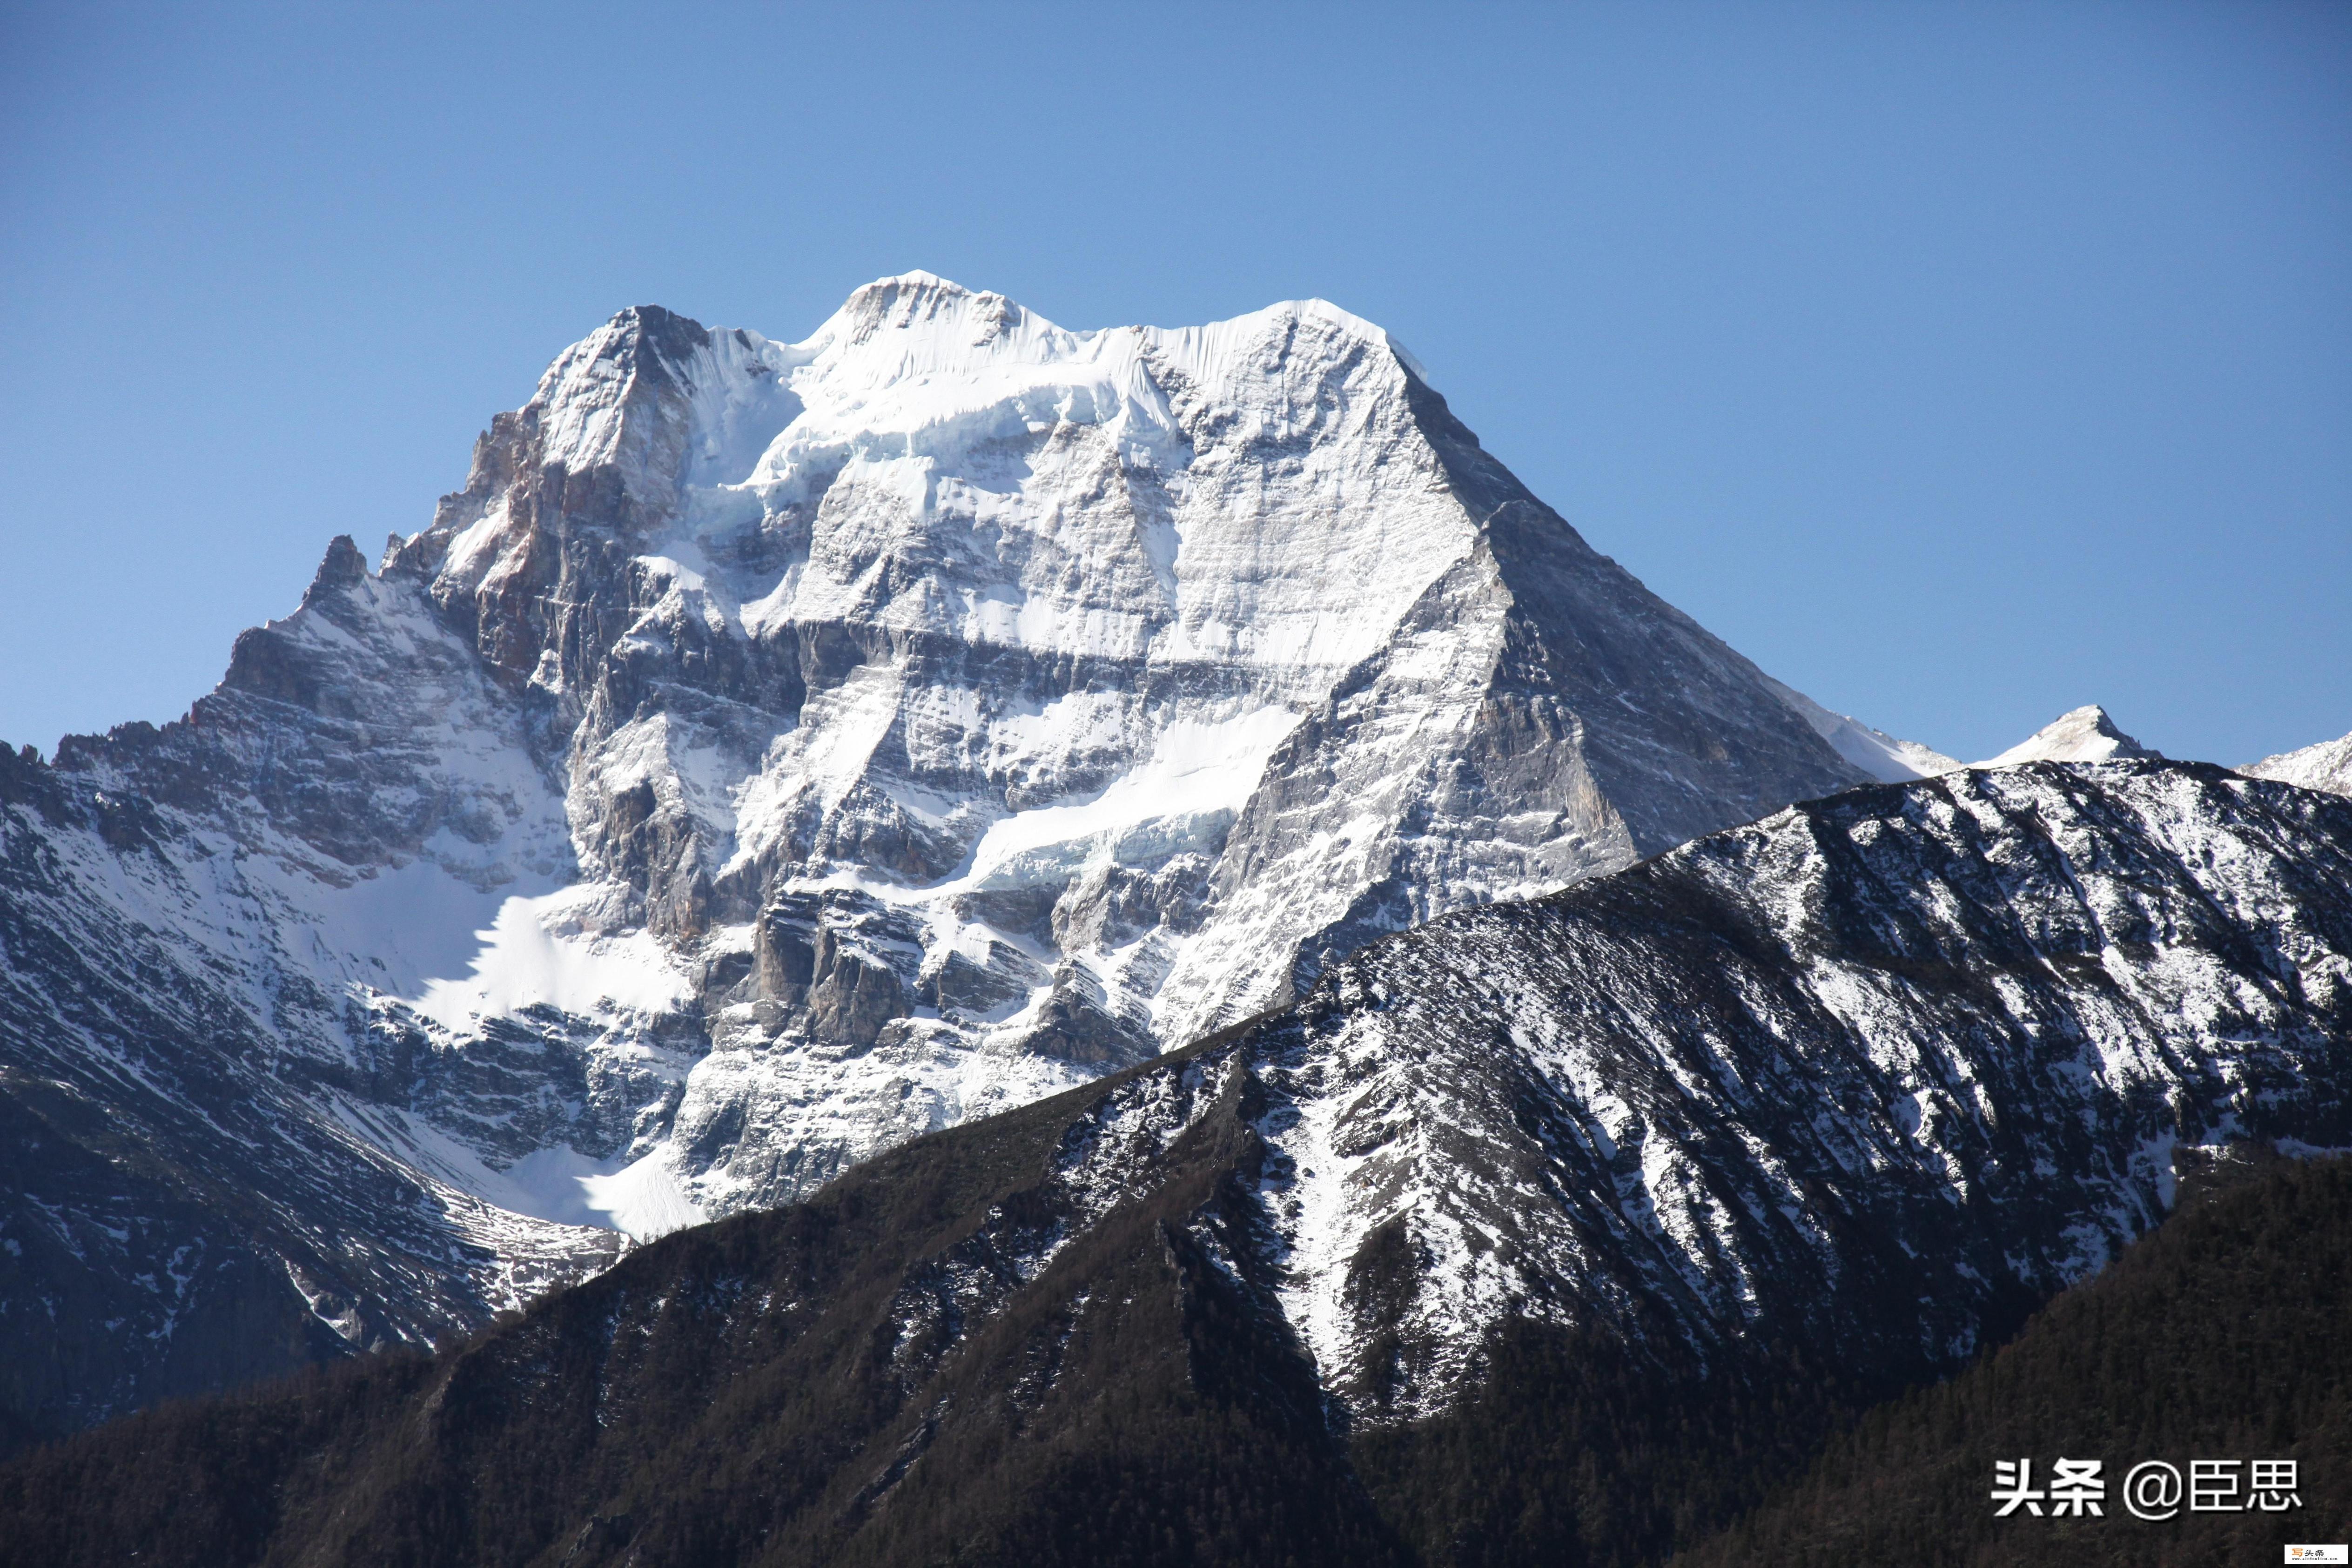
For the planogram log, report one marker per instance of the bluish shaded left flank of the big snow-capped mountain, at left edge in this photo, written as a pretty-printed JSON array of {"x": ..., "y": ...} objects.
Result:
[{"x": 194, "y": 1193}]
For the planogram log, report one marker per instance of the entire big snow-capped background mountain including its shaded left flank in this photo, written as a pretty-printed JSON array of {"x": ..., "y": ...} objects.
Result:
[{"x": 775, "y": 753}]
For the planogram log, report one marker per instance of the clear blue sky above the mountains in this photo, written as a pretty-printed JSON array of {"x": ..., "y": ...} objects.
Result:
[{"x": 1958, "y": 363}]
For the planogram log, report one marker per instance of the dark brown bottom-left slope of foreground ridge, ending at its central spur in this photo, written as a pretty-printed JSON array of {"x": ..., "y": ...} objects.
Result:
[{"x": 907, "y": 1369}]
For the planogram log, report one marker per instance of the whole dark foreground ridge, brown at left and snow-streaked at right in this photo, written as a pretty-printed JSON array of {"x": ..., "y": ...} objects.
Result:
[{"x": 1544, "y": 1233}]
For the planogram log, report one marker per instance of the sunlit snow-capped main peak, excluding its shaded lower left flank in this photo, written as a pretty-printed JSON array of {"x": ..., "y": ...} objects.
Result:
[{"x": 1029, "y": 702}]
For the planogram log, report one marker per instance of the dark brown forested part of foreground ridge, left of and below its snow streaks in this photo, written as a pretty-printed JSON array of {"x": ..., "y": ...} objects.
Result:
[{"x": 947, "y": 1358}]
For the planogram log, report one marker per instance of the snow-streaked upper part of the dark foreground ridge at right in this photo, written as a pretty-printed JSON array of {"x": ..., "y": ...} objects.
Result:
[{"x": 1862, "y": 1076}]
